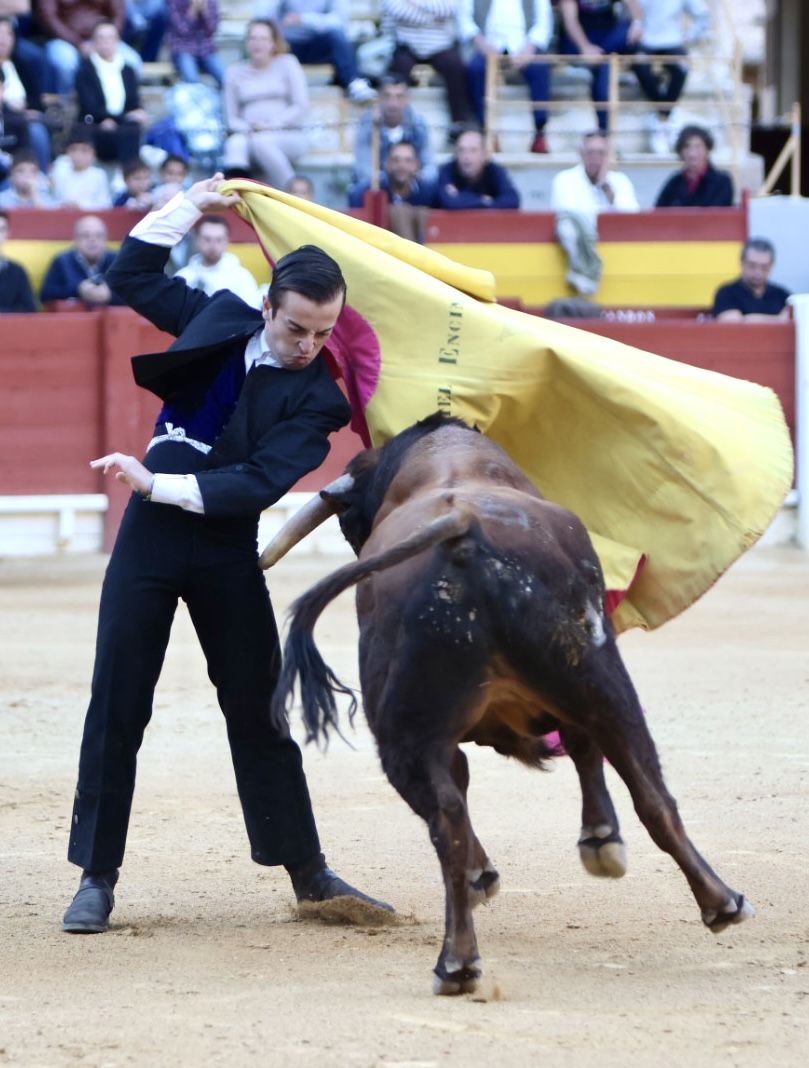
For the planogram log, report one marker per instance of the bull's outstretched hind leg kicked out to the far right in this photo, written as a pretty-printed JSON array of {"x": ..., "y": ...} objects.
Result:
[{"x": 618, "y": 726}]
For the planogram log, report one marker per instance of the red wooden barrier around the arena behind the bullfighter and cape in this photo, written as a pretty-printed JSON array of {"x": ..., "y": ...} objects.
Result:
[{"x": 69, "y": 394}]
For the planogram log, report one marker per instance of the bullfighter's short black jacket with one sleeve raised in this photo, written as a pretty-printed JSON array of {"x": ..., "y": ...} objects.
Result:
[{"x": 281, "y": 427}]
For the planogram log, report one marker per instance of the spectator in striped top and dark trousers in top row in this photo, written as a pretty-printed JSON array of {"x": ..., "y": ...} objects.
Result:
[{"x": 426, "y": 32}]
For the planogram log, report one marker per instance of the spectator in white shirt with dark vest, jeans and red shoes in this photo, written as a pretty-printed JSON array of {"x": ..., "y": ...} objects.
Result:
[{"x": 504, "y": 30}]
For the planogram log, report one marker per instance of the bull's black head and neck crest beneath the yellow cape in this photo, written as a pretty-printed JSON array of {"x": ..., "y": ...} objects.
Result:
[{"x": 375, "y": 470}]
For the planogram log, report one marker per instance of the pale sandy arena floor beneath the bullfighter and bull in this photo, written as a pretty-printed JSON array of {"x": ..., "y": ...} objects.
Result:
[{"x": 208, "y": 965}]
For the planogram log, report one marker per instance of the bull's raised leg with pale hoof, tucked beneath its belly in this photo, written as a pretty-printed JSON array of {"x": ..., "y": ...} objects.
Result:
[{"x": 601, "y": 846}]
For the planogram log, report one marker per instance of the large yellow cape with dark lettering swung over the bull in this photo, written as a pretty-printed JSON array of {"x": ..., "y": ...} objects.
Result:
[{"x": 683, "y": 467}]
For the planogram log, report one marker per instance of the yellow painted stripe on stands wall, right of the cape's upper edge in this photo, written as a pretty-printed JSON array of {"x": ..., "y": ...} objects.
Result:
[{"x": 636, "y": 274}]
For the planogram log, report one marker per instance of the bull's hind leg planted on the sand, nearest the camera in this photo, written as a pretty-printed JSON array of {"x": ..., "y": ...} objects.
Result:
[{"x": 425, "y": 779}]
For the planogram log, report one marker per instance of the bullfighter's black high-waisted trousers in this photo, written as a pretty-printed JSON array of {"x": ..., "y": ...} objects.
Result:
[{"x": 164, "y": 554}]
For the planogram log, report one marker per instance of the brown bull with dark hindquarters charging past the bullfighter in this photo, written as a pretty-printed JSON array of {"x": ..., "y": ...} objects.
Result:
[{"x": 481, "y": 620}]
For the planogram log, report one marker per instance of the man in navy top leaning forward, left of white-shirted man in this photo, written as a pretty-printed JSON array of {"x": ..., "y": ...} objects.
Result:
[{"x": 472, "y": 180}]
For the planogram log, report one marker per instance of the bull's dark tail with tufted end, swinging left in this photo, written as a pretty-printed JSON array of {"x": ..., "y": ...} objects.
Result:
[{"x": 318, "y": 682}]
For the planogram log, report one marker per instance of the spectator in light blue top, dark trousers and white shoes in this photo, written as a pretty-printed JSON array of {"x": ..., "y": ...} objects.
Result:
[{"x": 664, "y": 36}]
